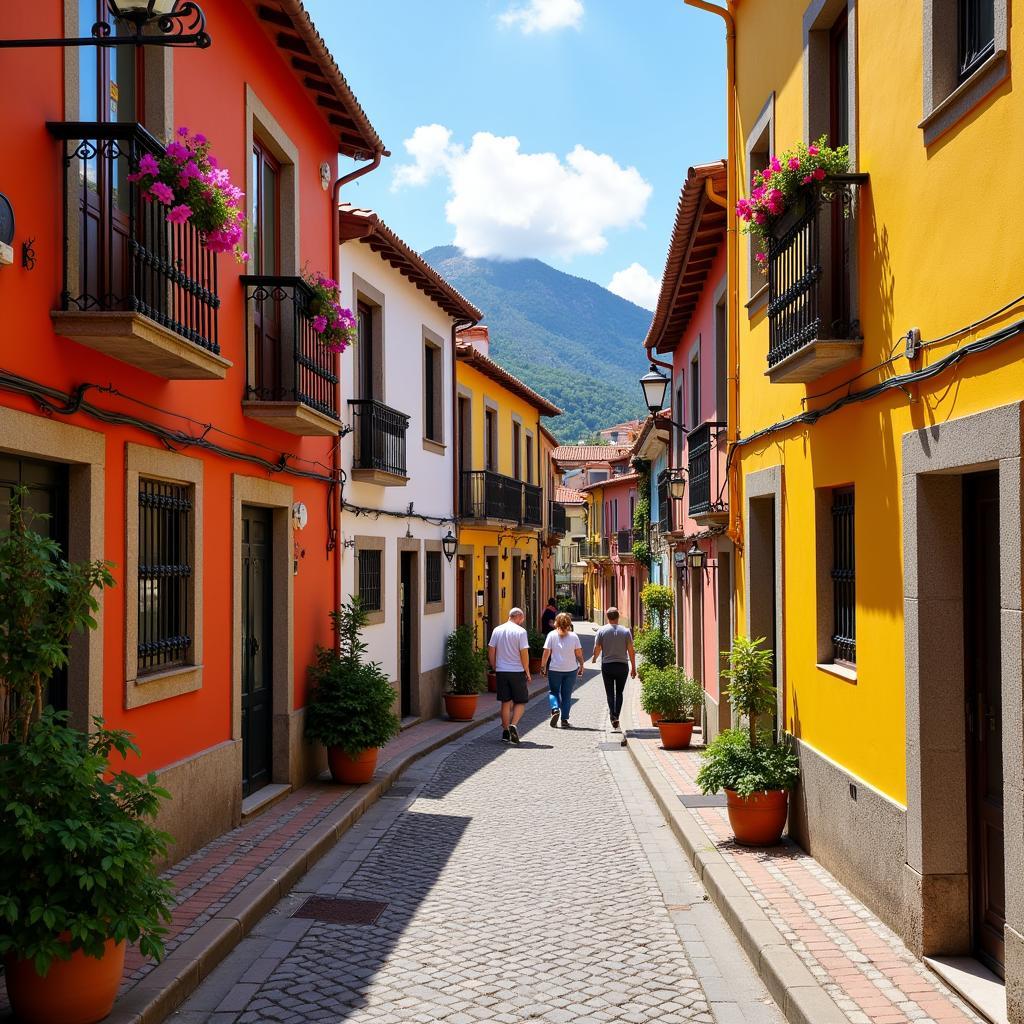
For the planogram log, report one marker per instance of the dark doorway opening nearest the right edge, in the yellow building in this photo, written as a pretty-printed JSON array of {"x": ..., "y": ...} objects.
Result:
[{"x": 984, "y": 694}]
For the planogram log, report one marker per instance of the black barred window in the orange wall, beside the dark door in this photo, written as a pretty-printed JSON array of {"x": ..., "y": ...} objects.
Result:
[{"x": 165, "y": 526}]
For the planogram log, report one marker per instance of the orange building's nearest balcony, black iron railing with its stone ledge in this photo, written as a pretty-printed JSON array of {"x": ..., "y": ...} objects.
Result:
[{"x": 135, "y": 287}]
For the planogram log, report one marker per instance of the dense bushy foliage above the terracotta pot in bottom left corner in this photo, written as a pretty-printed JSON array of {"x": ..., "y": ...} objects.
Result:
[{"x": 76, "y": 849}]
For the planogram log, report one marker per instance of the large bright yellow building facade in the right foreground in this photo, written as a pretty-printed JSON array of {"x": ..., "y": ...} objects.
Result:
[{"x": 877, "y": 487}]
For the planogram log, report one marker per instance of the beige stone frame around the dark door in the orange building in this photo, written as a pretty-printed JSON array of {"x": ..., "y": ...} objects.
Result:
[{"x": 287, "y": 741}]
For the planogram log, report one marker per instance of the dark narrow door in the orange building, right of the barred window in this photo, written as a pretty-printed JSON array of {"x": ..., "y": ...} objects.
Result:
[{"x": 258, "y": 648}]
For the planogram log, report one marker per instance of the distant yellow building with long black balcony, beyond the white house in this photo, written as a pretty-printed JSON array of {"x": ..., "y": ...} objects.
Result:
[{"x": 503, "y": 465}]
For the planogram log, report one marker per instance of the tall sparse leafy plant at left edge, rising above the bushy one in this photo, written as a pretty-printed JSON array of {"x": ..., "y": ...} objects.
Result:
[{"x": 47, "y": 600}]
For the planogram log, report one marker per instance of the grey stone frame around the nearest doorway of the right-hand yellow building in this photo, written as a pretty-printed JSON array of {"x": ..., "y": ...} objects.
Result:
[{"x": 935, "y": 459}]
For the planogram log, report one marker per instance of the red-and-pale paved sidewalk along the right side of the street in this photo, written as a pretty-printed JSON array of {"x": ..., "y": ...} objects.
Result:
[{"x": 861, "y": 963}]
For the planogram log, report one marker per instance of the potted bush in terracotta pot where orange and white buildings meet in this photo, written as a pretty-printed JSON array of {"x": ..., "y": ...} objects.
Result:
[{"x": 351, "y": 709}]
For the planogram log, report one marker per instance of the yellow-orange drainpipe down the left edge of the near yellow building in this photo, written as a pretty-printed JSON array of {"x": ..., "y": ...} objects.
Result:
[{"x": 733, "y": 252}]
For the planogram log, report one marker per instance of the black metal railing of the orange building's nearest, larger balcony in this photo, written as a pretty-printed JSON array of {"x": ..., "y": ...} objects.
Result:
[{"x": 120, "y": 254}]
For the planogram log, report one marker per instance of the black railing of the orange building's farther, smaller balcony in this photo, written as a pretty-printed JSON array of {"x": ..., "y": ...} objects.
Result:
[{"x": 285, "y": 359}]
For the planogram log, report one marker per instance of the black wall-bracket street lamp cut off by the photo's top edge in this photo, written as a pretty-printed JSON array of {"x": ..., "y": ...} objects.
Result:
[{"x": 178, "y": 23}]
